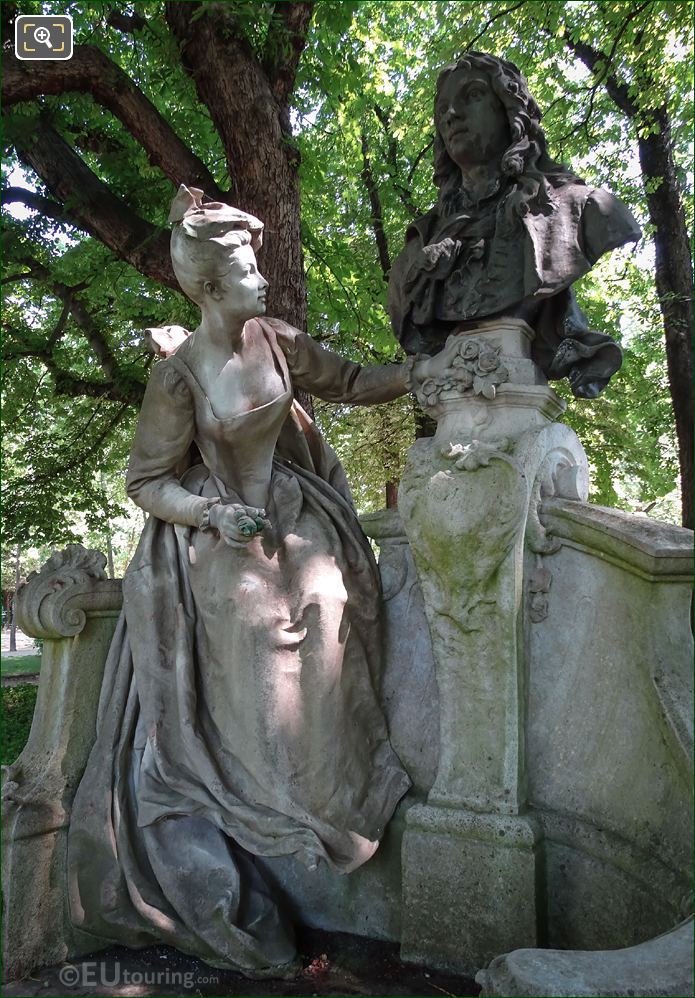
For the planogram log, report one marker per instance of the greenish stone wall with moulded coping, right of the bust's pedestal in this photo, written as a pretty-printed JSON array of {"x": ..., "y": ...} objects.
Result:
[{"x": 609, "y": 737}]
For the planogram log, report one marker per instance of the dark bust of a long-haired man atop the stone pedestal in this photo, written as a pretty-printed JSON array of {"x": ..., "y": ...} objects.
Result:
[{"x": 511, "y": 232}]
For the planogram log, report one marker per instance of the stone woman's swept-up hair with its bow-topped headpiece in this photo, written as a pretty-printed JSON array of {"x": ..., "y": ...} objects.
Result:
[{"x": 200, "y": 235}]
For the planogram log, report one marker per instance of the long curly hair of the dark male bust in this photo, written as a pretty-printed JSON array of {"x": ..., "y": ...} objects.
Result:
[{"x": 526, "y": 161}]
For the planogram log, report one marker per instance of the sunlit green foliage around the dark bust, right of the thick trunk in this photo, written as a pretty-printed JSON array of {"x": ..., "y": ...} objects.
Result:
[{"x": 377, "y": 83}]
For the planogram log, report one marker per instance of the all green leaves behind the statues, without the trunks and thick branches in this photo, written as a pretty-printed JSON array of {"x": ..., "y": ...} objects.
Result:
[{"x": 363, "y": 98}]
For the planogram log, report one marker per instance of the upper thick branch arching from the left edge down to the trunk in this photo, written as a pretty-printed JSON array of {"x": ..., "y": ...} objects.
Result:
[{"x": 91, "y": 71}]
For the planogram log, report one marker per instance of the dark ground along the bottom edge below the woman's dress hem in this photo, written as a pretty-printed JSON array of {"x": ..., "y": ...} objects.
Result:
[{"x": 334, "y": 963}]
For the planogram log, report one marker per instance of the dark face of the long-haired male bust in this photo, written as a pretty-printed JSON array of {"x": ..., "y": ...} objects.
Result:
[{"x": 471, "y": 119}]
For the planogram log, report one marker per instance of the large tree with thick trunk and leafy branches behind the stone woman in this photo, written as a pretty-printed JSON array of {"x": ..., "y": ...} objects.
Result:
[{"x": 172, "y": 93}]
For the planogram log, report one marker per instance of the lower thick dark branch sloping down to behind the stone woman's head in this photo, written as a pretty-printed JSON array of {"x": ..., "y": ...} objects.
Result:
[{"x": 89, "y": 204}]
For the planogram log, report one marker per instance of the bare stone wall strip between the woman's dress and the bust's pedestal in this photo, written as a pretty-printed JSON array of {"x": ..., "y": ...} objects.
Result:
[{"x": 369, "y": 901}]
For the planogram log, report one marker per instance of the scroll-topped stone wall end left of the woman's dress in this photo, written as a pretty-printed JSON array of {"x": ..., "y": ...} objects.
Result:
[{"x": 74, "y": 607}]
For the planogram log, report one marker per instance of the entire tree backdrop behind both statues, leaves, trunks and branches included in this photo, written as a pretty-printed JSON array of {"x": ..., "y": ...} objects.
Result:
[{"x": 317, "y": 117}]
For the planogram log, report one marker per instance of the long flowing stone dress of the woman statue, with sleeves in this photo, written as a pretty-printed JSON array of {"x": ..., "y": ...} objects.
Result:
[{"x": 239, "y": 714}]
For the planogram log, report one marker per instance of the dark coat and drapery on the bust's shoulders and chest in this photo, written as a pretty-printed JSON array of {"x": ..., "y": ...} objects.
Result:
[{"x": 524, "y": 270}]
